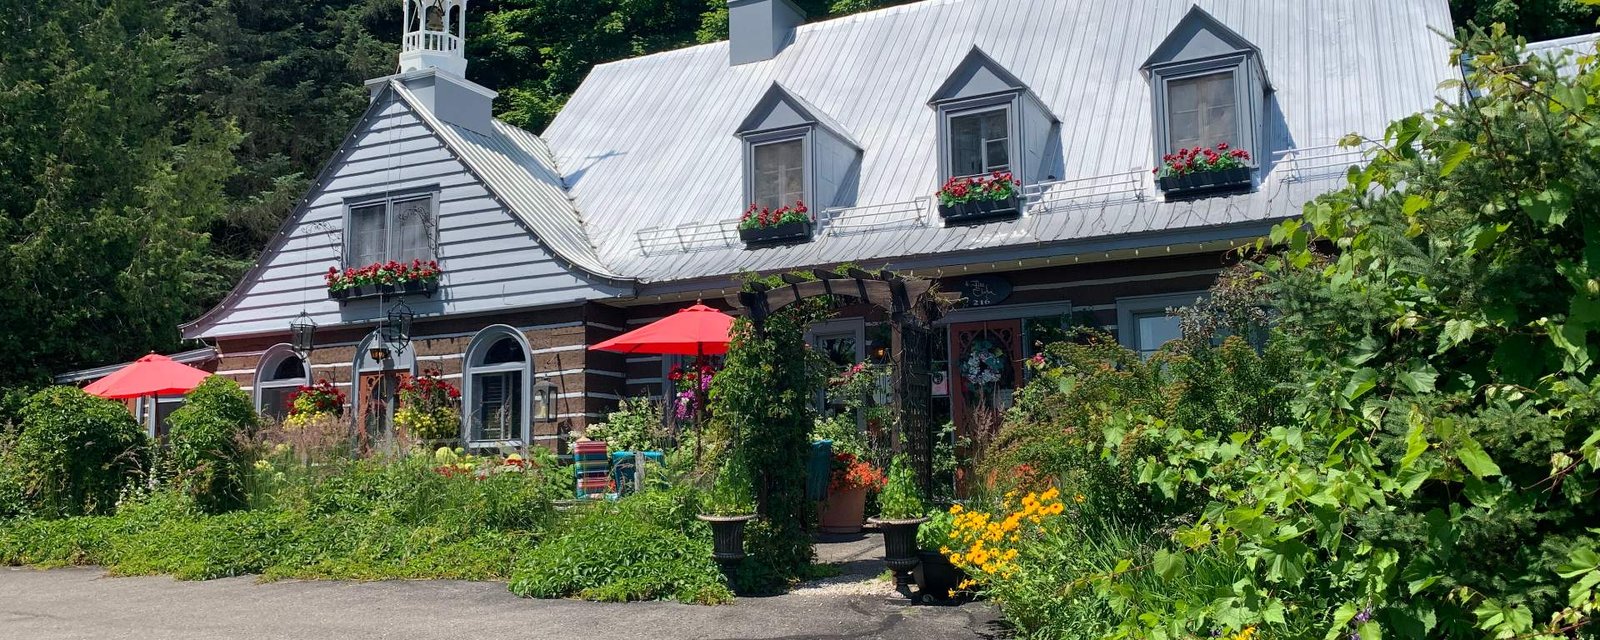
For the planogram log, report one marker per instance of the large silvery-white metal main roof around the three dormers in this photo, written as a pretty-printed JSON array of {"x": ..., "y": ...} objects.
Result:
[{"x": 649, "y": 154}]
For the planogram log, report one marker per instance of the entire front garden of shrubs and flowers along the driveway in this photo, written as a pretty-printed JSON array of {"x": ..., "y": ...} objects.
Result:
[{"x": 1380, "y": 423}]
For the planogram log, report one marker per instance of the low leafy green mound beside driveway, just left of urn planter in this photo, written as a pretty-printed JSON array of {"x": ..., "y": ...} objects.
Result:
[{"x": 647, "y": 546}]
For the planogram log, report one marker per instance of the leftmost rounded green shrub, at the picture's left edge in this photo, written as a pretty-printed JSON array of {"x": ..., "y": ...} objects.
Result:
[{"x": 76, "y": 452}]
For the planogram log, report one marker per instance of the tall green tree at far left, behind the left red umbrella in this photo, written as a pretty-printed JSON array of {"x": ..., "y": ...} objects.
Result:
[{"x": 108, "y": 185}]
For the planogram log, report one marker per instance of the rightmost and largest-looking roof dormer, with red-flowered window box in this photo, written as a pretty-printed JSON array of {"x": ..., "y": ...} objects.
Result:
[{"x": 1209, "y": 92}]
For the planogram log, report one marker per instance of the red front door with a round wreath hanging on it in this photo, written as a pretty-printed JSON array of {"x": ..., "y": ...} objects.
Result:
[{"x": 986, "y": 369}]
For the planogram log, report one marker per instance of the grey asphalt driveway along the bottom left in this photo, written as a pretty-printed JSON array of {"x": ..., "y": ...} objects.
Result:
[{"x": 84, "y": 604}]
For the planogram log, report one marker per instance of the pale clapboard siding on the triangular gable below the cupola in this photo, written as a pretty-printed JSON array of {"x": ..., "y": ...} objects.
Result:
[{"x": 490, "y": 258}]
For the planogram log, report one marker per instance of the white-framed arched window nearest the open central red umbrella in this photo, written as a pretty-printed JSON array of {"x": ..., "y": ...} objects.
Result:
[{"x": 498, "y": 388}]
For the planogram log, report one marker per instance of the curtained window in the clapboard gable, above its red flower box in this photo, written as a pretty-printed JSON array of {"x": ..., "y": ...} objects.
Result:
[{"x": 401, "y": 230}]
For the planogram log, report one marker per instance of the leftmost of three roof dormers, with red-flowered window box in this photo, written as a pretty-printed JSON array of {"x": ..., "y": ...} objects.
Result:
[{"x": 796, "y": 162}]
